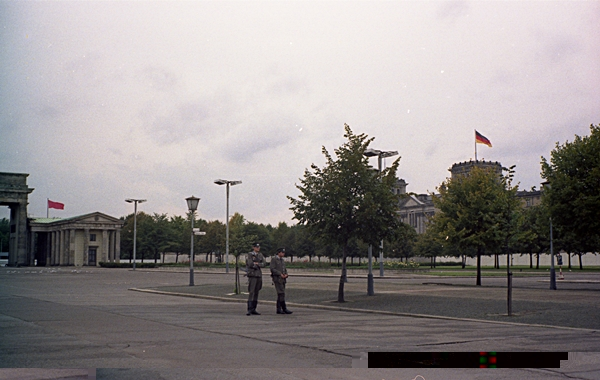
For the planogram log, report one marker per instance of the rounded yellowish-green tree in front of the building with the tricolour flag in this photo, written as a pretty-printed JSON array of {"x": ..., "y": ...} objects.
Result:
[{"x": 477, "y": 211}]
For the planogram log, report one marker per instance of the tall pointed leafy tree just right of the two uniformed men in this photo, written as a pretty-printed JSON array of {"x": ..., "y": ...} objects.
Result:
[{"x": 347, "y": 198}]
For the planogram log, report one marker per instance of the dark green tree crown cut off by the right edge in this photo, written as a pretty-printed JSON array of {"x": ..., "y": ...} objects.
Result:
[{"x": 573, "y": 198}]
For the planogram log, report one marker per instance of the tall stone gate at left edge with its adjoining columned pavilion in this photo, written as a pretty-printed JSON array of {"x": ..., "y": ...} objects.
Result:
[{"x": 84, "y": 240}]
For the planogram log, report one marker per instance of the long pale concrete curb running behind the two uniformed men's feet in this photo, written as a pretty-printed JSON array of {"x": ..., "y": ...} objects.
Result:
[{"x": 367, "y": 311}]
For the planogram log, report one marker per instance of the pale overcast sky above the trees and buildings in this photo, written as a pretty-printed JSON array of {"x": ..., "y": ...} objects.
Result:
[{"x": 102, "y": 101}]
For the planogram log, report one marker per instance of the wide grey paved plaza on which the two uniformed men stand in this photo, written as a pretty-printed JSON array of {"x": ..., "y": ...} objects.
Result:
[{"x": 150, "y": 324}]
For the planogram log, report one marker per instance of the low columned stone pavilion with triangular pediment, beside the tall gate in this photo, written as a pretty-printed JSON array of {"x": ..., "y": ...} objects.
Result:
[{"x": 84, "y": 240}]
